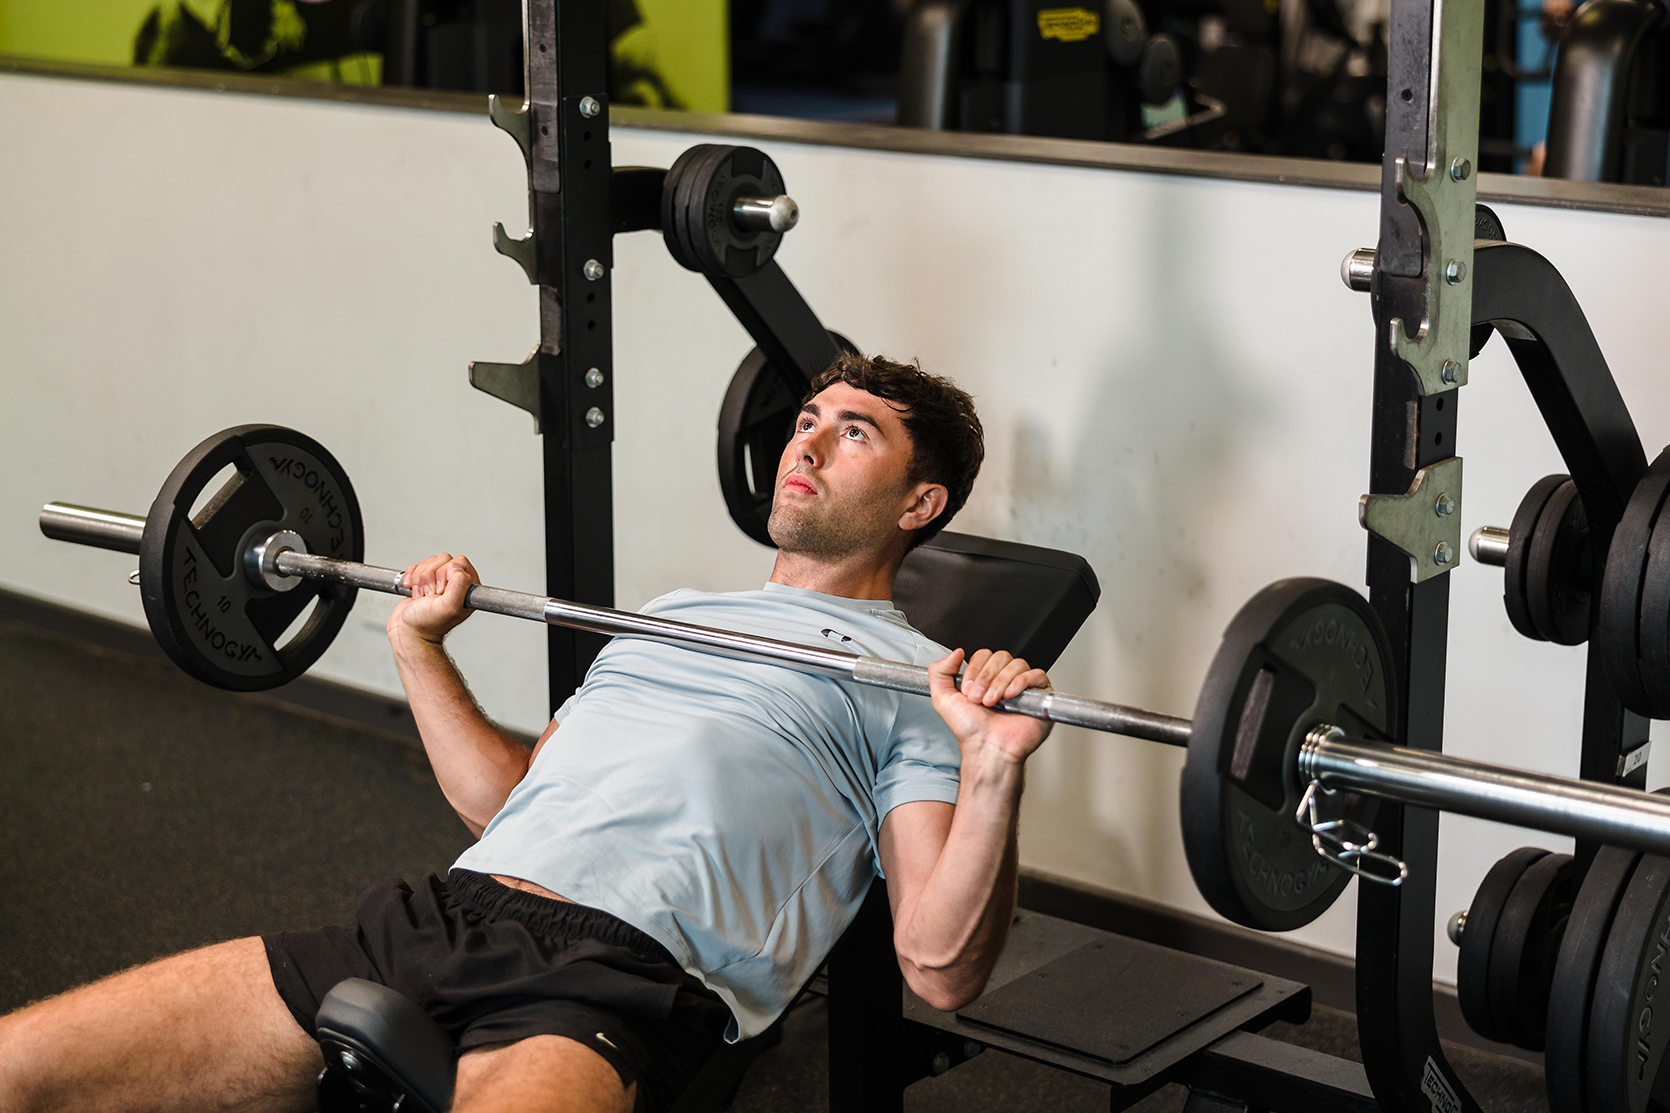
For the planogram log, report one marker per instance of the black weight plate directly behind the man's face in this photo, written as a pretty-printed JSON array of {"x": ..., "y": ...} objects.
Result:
[{"x": 757, "y": 420}]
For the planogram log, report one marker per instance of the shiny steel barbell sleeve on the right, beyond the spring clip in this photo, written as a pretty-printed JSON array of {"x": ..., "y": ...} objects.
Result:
[{"x": 1582, "y": 810}]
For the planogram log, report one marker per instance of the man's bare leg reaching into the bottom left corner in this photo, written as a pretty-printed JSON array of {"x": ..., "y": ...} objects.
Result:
[{"x": 203, "y": 1030}]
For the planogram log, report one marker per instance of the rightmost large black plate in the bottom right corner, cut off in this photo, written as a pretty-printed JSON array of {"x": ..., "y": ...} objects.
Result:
[{"x": 1626, "y": 1032}]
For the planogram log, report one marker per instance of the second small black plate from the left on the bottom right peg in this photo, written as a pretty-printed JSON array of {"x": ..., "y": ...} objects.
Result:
[{"x": 1522, "y": 957}]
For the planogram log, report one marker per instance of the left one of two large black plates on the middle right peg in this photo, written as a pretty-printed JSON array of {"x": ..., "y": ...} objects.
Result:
[{"x": 1621, "y": 589}]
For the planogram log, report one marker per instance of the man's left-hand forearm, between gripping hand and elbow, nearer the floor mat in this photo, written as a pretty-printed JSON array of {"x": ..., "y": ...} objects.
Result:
[{"x": 475, "y": 763}]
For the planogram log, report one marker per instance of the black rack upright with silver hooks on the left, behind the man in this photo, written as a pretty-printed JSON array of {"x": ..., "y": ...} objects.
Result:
[{"x": 567, "y": 384}]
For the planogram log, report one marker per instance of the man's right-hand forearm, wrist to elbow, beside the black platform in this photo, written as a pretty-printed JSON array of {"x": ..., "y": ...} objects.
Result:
[{"x": 956, "y": 928}]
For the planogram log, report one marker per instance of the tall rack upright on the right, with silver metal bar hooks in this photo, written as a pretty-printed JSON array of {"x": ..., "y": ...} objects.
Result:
[{"x": 1422, "y": 335}]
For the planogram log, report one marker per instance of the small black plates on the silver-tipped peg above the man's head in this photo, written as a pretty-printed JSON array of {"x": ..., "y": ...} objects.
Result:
[{"x": 701, "y": 218}]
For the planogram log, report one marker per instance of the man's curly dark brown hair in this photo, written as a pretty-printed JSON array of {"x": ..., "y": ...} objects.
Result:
[{"x": 948, "y": 444}]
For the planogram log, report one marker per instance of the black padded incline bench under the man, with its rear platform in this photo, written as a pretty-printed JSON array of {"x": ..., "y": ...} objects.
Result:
[{"x": 1078, "y": 999}]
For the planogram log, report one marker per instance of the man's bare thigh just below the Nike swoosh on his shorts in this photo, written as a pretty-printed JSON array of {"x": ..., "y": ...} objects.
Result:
[{"x": 540, "y": 1075}]
